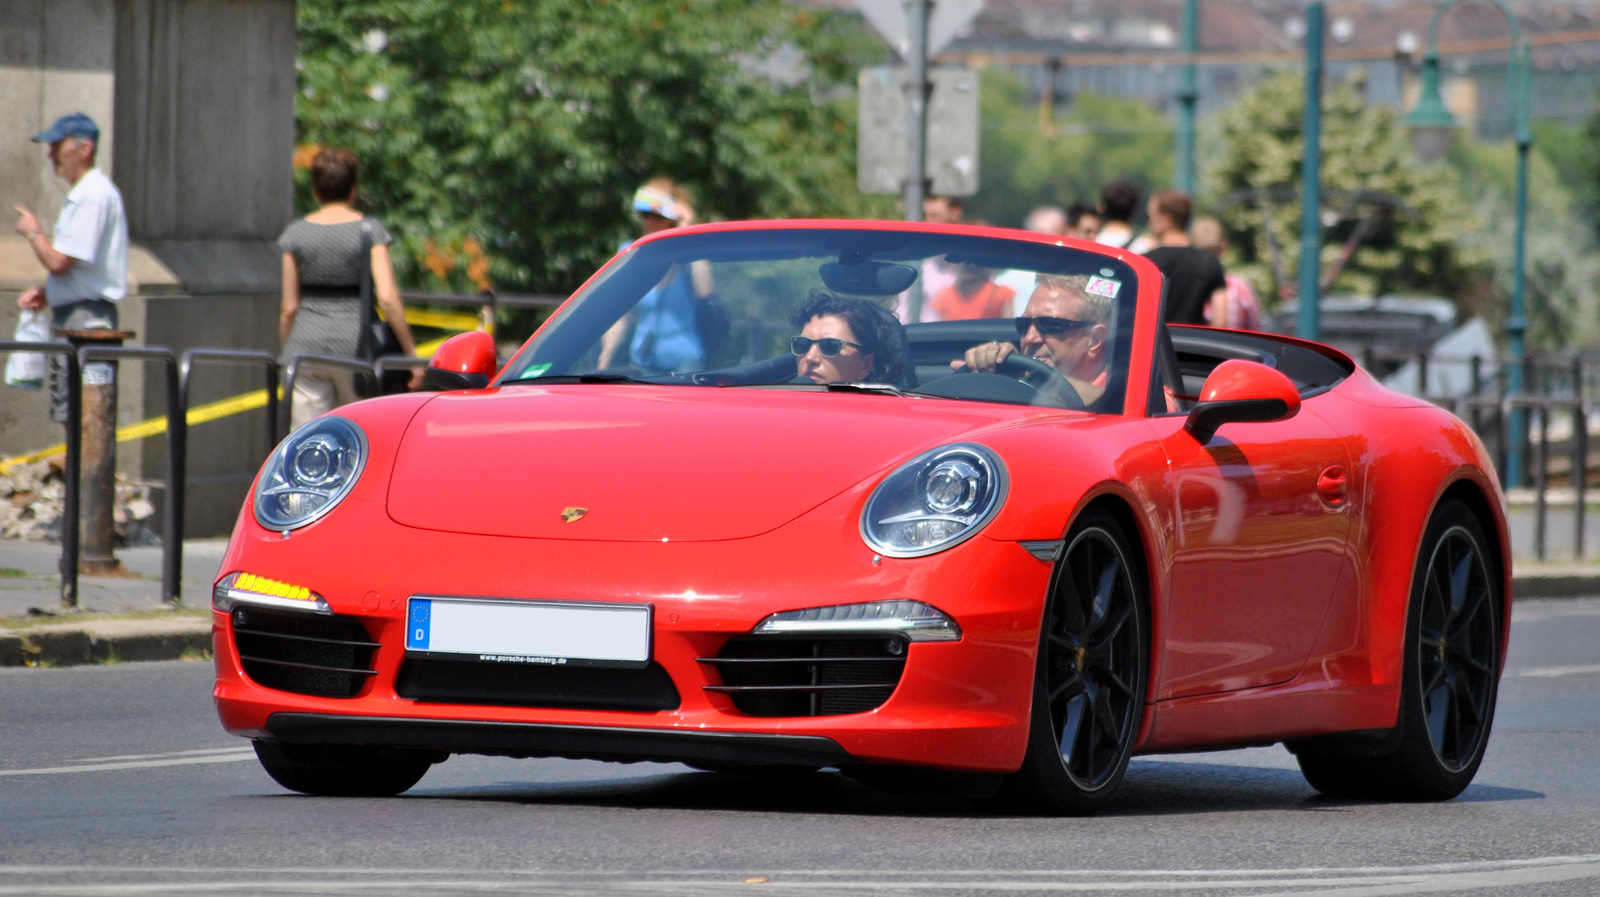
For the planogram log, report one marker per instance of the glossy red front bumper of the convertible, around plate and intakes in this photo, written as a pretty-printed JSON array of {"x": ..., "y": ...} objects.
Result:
[{"x": 959, "y": 704}]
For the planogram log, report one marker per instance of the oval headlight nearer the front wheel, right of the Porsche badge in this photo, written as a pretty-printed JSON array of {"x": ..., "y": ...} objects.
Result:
[{"x": 938, "y": 500}]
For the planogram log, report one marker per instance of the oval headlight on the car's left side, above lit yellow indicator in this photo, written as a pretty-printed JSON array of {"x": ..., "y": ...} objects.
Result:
[{"x": 310, "y": 474}]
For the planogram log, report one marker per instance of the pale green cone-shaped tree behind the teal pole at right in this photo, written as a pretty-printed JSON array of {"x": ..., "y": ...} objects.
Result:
[{"x": 1417, "y": 217}]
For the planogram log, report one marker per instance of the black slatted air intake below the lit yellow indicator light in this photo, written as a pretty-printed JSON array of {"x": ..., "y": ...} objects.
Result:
[{"x": 305, "y": 655}]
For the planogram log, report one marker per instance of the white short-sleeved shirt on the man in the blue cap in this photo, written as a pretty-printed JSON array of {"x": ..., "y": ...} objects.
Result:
[{"x": 94, "y": 231}]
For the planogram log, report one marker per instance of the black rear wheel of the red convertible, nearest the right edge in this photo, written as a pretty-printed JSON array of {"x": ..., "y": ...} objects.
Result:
[{"x": 1449, "y": 684}]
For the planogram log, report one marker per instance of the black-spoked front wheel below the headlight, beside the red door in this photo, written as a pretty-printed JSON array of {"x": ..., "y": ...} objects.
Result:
[{"x": 1090, "y": 679}]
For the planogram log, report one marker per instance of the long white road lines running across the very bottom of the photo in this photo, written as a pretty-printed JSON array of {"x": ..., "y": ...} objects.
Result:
[{"x": 1314, "y": 882}]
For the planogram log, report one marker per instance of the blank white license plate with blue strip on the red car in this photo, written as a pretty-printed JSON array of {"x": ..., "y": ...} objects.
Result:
[{"x": 529, "y": 632}]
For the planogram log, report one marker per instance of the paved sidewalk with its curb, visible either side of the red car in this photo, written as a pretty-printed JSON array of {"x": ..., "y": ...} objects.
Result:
[{"x": 124, "y": 620}]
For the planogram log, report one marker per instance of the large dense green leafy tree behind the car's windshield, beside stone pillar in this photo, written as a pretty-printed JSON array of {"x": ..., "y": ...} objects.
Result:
[{"x": 502, "y": 140}]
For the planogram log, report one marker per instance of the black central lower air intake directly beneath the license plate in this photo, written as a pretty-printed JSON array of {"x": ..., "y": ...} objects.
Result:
[{"x": 535, "y": 685}]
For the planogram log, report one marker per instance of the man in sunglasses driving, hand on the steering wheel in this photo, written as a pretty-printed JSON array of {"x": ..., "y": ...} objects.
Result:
[{"x": 1065, "y": 327}]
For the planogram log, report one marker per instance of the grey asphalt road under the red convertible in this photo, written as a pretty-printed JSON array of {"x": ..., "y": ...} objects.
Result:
[{"x": 118, "y": 779}]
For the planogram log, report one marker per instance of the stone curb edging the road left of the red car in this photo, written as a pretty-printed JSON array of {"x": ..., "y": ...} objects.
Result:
[{"x": 105, "y": 642}]
